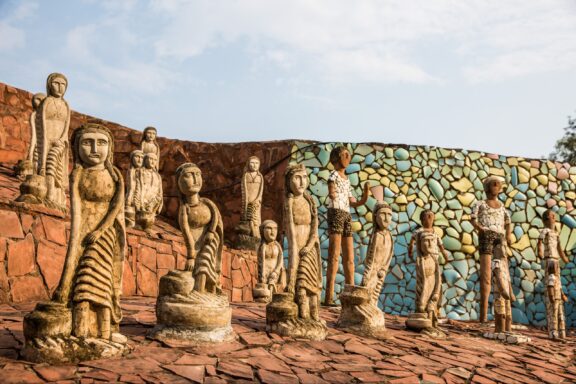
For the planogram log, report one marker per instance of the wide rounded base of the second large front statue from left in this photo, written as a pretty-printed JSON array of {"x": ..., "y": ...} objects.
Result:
[{"x": 186, "y": 317}]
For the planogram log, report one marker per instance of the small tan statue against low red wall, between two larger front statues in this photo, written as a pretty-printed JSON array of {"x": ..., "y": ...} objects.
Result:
[{"x": 270, "y": 264}]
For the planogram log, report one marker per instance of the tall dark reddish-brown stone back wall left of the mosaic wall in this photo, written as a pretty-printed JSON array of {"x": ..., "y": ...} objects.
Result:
[{"x": 222, "y": 164}]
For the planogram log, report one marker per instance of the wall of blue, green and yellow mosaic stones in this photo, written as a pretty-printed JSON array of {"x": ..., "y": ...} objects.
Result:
[{"x": 449, "y": 182}]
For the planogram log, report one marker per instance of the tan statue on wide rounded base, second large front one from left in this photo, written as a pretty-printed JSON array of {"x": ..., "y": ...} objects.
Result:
[{"x": 191, "y": 308}]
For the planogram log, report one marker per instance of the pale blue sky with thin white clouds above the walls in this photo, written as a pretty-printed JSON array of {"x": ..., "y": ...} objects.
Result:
[{"x": 492, "y": 75}]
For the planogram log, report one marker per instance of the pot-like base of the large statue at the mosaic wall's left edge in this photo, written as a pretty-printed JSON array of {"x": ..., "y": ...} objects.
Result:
[{"x": 282, "y": 319}]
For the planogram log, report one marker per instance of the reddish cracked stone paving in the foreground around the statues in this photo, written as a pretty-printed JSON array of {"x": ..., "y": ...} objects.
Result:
[{"x": 464, "y": 357}]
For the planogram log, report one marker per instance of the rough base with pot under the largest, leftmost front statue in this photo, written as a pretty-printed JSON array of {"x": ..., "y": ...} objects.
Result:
[{"x": 48, "y": 340}]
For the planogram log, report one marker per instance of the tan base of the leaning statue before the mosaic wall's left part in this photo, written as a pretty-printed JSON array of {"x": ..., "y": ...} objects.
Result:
[{"x": 359, "y": 316}]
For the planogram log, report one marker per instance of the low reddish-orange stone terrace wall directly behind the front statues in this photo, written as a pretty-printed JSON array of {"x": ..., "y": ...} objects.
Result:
[{"x": 33, "y": 247}]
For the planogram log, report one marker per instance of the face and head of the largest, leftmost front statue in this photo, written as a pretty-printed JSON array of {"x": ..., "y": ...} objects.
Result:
[{"x": 93, "y": 147}]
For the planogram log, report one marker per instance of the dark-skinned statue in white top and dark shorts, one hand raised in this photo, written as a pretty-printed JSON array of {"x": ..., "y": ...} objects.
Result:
[{"x": 340, "y": 200}]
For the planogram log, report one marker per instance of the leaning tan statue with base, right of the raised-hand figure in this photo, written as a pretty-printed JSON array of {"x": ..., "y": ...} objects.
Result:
[{"x": 360, "y": 313}]
